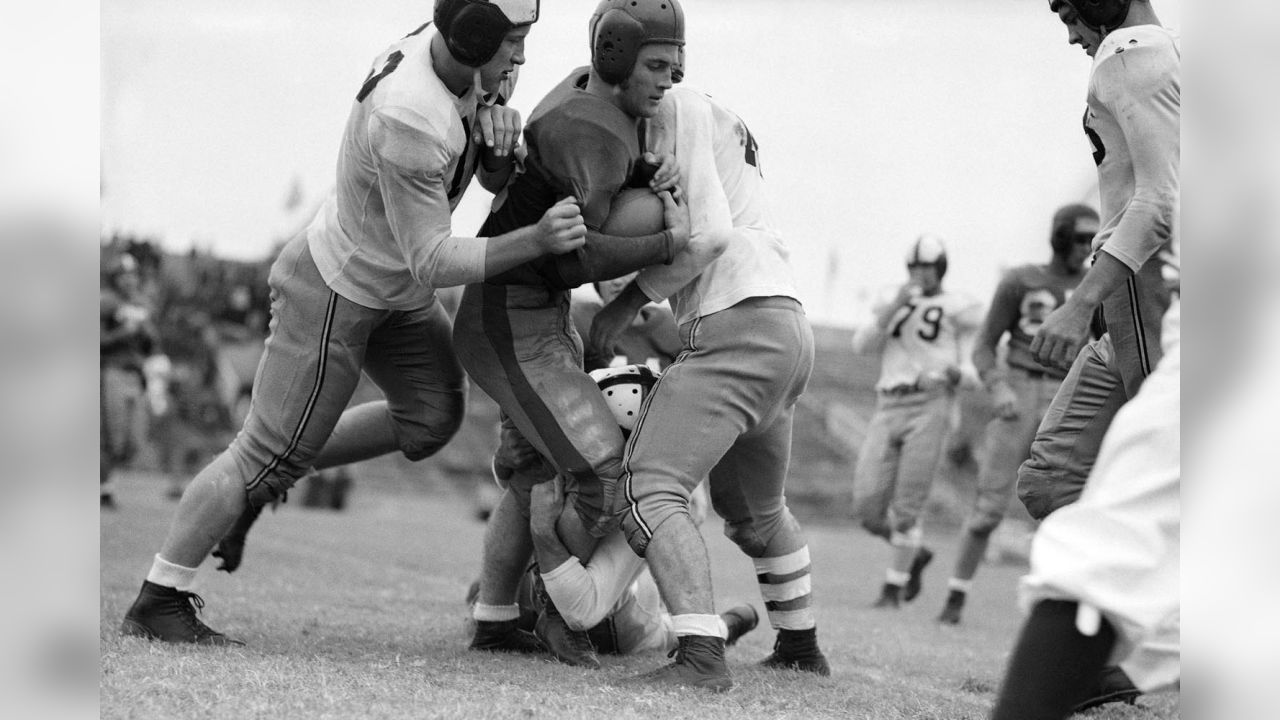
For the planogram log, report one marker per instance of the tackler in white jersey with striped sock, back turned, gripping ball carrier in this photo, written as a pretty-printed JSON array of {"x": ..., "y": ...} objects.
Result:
[{"x": 724, "y": 411}]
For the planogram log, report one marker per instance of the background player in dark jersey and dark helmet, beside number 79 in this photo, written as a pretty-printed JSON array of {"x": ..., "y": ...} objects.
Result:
[{"x": 1022, "y": 389}]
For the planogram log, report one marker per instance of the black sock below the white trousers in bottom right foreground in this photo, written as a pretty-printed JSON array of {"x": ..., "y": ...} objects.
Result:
[{"x": 1053, "y": 667}]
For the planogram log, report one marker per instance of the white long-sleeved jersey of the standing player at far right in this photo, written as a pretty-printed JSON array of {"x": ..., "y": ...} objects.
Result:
[{"x": 1133, "y": 122}]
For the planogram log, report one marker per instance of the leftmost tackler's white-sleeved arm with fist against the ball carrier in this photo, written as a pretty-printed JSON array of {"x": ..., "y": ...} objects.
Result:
[{"x": 412, "y": 168}]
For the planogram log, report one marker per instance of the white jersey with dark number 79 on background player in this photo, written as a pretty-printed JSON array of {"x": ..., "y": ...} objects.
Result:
[{"x": 924, "y": 339}]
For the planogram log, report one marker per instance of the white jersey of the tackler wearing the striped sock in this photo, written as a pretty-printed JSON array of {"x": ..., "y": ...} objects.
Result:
[{"x": 720, "y": 165}]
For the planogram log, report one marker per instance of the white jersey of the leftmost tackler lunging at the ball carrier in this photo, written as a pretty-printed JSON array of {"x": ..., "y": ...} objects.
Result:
[{"x": 385, "y": 238}]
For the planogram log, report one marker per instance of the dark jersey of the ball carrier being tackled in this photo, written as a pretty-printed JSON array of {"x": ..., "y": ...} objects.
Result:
[{"x": 582, "y": 145}]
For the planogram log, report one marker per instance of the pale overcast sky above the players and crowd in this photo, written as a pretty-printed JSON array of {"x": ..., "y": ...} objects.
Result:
[{"x": 877, "y": 121}]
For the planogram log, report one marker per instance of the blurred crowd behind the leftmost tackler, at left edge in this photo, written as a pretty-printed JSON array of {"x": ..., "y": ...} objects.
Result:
[{"x": 180, "y": 339}]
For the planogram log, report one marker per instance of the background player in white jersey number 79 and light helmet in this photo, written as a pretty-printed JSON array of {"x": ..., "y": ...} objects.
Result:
[{"x": 926, "y": 338}]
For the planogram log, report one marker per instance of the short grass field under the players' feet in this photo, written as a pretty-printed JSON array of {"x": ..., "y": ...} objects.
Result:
[{"x": 360, "y": 614}]
